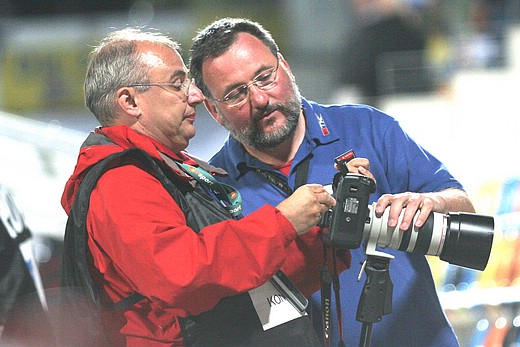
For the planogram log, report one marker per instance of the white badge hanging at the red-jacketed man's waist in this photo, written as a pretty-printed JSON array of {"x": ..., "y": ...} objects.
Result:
[{"x": 272, "y": 307}]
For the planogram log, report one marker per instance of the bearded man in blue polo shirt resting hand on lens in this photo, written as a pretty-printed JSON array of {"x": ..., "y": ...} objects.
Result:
[{"x": 250, "y": 90}]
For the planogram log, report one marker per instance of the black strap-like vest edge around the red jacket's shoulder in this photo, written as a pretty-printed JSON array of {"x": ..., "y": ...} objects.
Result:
[{"x": 75, "y": 272}]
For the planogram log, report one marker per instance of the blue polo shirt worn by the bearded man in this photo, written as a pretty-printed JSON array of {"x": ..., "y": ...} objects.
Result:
[{"x": 398, "y": 165}]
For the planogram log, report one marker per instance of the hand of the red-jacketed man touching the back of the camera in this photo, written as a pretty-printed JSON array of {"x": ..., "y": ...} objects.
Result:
[{"x": 305, "y": 206}]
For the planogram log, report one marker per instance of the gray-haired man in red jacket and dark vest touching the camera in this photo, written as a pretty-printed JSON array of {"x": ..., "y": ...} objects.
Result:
[{"x": 202, "y": 273}]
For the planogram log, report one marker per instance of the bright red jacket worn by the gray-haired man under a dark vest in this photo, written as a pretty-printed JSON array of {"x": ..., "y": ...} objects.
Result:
[{"x": 140, "y": 242}]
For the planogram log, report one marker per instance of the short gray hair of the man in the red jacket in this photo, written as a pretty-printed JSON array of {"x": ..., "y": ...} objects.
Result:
[{"x": 115, "y": 63}]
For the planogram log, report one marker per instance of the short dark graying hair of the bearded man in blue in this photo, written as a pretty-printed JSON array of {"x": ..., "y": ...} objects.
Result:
[{"x": 217, "y": 38}]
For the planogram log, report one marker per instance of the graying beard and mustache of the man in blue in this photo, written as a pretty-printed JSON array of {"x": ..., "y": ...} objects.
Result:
[{"x": 252, "y": 136}]
